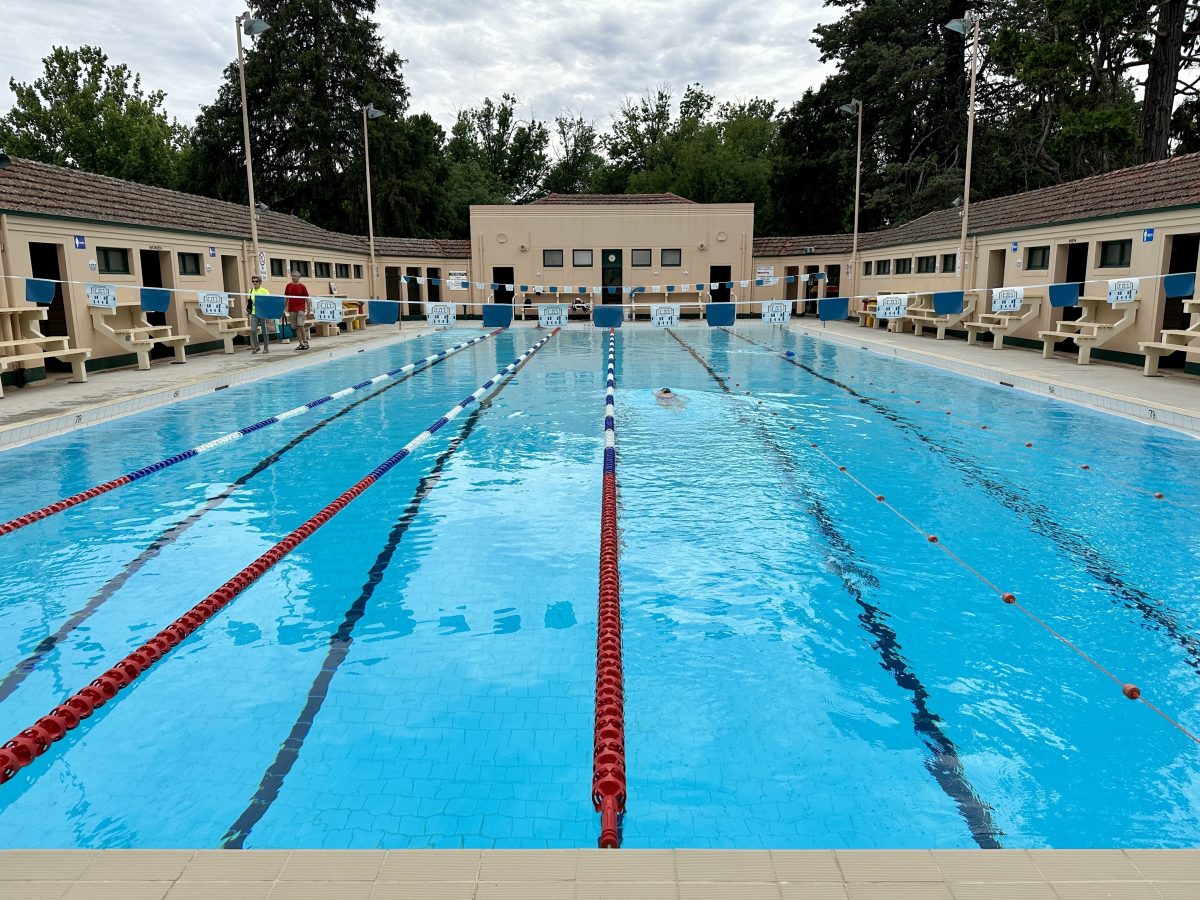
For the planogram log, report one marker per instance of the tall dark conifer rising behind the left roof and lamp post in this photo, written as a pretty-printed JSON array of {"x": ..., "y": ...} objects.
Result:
[{"x": 308, "y": 80}]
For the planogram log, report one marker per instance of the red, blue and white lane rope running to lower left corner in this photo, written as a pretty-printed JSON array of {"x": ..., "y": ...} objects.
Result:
[{"x": 31, "y": 743}]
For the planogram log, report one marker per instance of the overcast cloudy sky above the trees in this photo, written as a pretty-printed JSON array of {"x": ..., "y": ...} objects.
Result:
[{"x": 555, "y": 56}]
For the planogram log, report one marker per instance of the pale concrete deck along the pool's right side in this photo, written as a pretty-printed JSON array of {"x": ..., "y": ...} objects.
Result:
[{"x": 1124, "y": 392}]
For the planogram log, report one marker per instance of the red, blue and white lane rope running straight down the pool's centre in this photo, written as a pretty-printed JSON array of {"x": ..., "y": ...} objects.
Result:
[{"x": 609, "y": 754}]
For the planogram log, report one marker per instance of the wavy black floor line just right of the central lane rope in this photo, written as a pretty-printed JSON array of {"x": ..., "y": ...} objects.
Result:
[{"x": 944, "y": 763}]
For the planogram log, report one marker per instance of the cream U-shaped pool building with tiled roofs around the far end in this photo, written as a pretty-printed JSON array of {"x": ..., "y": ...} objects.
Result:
[{"x": 1147, "y": 220}]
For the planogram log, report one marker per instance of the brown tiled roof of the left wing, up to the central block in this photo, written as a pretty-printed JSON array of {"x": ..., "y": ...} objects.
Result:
[{"x": 28, "y": 187}]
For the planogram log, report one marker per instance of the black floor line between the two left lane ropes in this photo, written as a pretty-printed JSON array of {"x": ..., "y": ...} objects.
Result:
[{"x": 27, "y": 667}]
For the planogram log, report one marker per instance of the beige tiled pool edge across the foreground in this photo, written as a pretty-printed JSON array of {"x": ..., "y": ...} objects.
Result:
[{"x": 601, "y": 875}]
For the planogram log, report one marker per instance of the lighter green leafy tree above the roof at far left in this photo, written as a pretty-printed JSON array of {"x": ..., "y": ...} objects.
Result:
[{"x": 87, "y": 115}]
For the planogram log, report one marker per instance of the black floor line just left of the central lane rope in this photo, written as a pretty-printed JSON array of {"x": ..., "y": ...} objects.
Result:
[{"x": 341, "y": 640}]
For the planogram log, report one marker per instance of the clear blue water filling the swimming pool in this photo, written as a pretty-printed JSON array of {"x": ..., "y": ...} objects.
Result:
[{"x": 802, "y": 669}]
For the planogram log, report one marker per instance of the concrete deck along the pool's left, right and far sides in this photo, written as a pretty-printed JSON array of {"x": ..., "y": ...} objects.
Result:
[{"x": 56, "y": 406}]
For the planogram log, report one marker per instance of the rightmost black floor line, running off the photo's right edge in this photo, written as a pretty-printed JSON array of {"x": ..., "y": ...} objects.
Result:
[{"x": 1155, "y": 613}]
